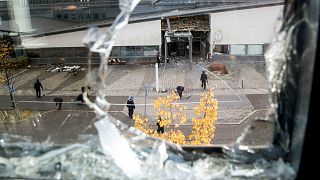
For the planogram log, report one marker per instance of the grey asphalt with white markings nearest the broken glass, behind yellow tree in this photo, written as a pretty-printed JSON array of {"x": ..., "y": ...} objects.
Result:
[{"x": 65, "y": 126}]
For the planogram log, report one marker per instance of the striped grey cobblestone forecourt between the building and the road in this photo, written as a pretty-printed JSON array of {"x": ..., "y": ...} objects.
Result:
[{"x": 130, "y": 80}]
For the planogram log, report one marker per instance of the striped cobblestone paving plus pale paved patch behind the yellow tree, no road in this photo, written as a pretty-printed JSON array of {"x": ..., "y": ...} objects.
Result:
[{"x": 130, "y": 80}]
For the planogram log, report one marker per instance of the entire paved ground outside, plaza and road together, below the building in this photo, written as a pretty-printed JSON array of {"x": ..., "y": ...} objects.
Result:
[{"x": 242, "y": 97}]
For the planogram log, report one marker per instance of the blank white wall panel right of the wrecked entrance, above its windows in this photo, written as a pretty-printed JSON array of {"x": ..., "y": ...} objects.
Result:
[{"x": 248, "y": 26}]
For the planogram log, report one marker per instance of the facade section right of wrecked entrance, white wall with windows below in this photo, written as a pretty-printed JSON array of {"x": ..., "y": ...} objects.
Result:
[{"x": 243, "y": 32}]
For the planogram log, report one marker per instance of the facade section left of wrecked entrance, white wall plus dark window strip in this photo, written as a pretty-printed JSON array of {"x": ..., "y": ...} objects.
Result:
[{"x": 135, "y": 41}]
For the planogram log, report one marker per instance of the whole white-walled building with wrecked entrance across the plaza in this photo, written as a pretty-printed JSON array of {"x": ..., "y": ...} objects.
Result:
[{"x": 242, "y": 27}]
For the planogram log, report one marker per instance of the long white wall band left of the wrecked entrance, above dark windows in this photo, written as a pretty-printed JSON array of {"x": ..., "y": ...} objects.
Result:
[{"x": 137, "y": 34}]
